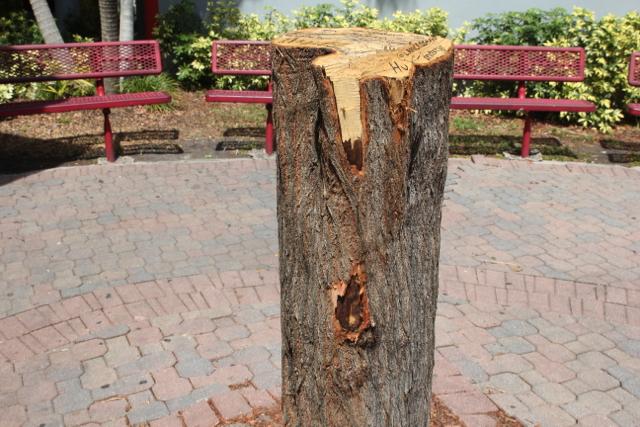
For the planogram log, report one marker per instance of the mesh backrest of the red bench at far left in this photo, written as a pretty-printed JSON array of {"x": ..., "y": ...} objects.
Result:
[{"x": 32, "y": 63}]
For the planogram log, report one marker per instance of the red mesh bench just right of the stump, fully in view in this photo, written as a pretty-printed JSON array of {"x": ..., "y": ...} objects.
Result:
[{"x": 521, "y": 64}]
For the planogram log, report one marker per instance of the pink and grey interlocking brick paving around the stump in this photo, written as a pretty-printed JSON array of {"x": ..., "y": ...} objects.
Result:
[{"x": 148, "y": 293}]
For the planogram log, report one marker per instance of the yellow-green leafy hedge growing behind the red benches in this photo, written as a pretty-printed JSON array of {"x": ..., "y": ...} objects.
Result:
[{"x": 186, "y": 42}]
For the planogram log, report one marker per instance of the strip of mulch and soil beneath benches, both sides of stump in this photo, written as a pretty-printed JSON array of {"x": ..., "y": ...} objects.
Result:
[{"x": 195, "y": 129}]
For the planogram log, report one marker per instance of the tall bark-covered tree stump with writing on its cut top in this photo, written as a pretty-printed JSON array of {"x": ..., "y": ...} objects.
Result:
[{"x": 361, "y": 120}]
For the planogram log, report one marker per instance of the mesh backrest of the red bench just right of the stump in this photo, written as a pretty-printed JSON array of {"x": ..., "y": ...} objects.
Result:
[{"x": 519, "y": 63}]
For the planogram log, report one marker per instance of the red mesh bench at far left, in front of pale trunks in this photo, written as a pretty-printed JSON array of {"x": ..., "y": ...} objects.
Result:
[{"x": 71, "y": 61}]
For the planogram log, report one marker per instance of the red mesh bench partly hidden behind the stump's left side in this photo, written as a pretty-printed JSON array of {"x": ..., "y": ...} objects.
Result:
[{"x": 244, "y": 58}]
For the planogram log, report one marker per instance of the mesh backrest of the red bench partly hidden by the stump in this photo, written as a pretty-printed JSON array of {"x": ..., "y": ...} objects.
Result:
[{"x": 241, "y": 57}]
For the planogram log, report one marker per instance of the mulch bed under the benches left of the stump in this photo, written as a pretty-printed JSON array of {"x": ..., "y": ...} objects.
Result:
[{"x": 49, "y": 140}]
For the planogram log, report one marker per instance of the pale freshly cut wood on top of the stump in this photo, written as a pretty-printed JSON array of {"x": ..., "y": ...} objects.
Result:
[{"x": 360, "y": 54}]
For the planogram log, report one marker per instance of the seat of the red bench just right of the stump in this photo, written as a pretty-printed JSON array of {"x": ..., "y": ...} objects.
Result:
[{"x": 522, "y": 104}]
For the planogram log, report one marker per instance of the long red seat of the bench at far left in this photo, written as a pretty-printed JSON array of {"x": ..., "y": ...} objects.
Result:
[{"x": 83, "y": 103}]
